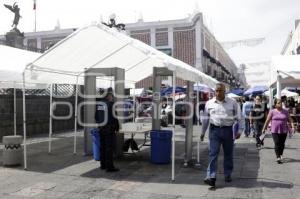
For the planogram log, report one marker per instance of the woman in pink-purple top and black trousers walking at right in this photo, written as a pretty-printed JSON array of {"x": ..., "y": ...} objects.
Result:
[{"x": 279, "y": 118}]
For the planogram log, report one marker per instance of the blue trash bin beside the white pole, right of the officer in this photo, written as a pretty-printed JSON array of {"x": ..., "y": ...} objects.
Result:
[{"x": 161, "y": 146}]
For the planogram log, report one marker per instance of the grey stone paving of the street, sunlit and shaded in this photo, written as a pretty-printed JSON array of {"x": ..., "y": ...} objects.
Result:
[{"x": 64, "y": 175}]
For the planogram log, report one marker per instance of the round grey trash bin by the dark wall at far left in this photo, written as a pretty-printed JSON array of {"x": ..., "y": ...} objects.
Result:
[{"x": 12, "y": 153}]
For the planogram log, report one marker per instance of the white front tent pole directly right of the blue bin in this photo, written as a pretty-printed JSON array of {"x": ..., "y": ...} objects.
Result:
[{"x": 173, "y": 123}]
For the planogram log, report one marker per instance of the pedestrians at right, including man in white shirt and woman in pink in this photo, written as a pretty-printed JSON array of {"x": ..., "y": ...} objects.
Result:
[{"x": 222, "y": 113}]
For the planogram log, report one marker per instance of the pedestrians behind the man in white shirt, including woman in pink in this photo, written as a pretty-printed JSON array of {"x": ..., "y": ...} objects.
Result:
[{"x": 283, "y": 118}]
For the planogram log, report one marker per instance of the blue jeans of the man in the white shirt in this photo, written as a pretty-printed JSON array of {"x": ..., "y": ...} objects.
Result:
[{"x": 218, "y": 137}]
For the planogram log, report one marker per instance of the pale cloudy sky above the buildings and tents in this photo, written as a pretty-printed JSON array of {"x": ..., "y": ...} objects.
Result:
[{"x": 229, "y": 20}]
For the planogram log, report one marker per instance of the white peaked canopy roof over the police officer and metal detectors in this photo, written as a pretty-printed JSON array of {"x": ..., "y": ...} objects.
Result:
[{"x": 97, "y": 46}]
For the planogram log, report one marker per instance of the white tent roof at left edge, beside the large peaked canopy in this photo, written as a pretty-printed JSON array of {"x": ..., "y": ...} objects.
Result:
[{"x": 12, "y": 64}]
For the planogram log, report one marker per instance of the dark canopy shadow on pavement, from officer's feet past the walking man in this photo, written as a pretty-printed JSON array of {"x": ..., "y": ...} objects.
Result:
[{"x": 138, "y": 168}]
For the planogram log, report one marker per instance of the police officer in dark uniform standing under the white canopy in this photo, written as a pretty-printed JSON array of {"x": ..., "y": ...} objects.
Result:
[{"x": 107, "y": 132}]
